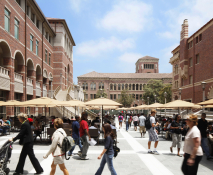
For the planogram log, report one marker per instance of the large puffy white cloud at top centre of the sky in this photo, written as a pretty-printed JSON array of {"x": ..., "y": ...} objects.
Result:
[{"x": 127, "y": 16}]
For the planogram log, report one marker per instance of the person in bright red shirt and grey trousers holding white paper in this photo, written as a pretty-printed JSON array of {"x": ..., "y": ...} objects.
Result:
[{"x": 84, "y": 134}]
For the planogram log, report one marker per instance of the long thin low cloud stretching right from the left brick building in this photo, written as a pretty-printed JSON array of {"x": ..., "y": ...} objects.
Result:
[{"x": 95, "y": 48}]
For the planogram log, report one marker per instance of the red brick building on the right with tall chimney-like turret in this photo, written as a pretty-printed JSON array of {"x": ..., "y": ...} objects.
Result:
[{"x": 192, "y": 64}]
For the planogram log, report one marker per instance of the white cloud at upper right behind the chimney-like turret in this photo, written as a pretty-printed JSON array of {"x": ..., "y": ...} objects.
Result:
[{"x": 198, "y": 12}]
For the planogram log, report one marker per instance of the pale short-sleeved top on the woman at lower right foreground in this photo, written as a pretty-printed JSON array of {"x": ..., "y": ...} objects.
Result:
[{"x": 194, "y": 132}]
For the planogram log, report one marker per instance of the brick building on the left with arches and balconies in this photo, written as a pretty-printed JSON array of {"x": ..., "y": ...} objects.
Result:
[{"x": 35, "y": 53}]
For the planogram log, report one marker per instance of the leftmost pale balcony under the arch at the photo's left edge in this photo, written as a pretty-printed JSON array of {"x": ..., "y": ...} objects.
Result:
[{"x": 4, "y": 79}]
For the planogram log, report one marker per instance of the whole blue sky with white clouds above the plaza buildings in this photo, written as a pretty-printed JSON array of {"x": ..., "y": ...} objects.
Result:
[{"x": 111, "y": 35}]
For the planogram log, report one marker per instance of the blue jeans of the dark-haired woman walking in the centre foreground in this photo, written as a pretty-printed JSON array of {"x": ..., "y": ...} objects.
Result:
[{"x": 106, "y": 159}]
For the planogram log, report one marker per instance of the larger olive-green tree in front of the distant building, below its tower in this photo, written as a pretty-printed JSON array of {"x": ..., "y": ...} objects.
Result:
[{"x": 153, "y": 88}]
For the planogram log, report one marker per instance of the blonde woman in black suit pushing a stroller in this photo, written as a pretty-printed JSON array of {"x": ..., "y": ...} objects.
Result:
[{"x": 26, "y": 139}]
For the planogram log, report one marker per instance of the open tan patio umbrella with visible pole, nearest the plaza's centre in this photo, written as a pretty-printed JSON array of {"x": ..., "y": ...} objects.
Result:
[{"x": 102, "y": 102}]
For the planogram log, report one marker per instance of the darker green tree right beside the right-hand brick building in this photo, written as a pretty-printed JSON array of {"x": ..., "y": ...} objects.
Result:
[{"x": 168, "y": 89}]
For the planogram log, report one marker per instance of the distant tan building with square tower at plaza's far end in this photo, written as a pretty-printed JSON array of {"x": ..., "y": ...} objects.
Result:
[{"x": 114, "y": 83}]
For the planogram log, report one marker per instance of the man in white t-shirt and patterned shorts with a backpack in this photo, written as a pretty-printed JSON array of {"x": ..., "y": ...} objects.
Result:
[{"x": 153, "y": 136}]
